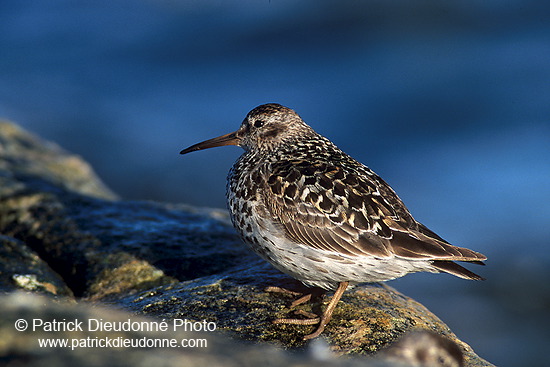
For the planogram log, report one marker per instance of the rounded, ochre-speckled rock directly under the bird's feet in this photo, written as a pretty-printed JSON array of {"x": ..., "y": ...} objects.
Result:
[{"x": 367, "y": 319}]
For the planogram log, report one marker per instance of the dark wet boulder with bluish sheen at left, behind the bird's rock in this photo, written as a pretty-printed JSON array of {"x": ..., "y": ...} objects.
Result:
[{"x": 100, "y": 246}]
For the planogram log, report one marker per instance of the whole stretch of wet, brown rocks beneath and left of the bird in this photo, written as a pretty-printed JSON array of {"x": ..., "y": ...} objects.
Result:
[{"x": 66, "y": 236}]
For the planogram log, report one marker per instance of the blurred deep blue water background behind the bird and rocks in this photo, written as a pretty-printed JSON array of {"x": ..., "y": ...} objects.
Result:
[{"x": 447, "y": 101}]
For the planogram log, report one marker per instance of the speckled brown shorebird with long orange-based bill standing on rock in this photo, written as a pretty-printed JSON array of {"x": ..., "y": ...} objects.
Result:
[{"x": 322, "y": 217}]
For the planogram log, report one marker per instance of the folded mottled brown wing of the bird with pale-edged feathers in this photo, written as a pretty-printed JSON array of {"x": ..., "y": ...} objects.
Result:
[{"x": 355, "y": 213}]
